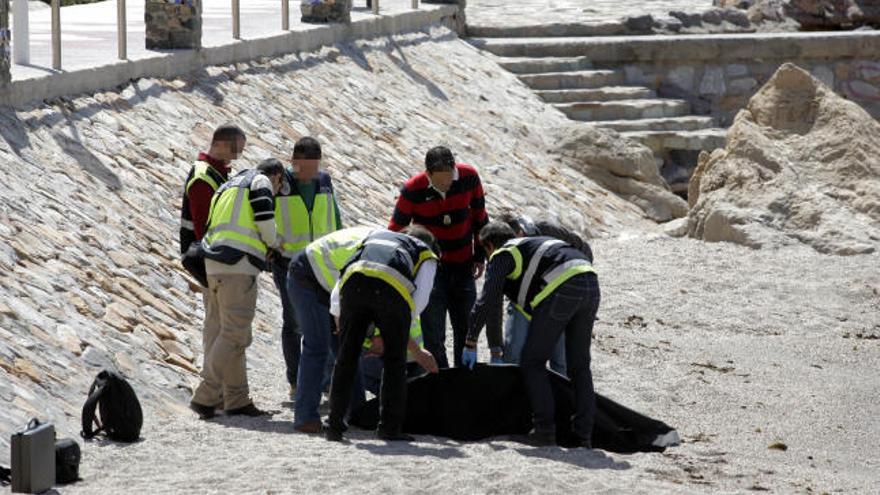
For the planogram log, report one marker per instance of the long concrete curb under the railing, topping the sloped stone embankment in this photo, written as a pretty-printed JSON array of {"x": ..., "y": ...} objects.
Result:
[{"x": 176, "y": 63}]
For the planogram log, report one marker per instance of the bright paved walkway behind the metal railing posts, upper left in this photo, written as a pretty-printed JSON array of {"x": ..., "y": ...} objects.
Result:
[{"x": 88, "y": 32}]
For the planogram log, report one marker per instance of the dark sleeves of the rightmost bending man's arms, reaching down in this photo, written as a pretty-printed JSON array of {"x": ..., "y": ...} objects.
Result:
[{"x": 488, "y": 307}]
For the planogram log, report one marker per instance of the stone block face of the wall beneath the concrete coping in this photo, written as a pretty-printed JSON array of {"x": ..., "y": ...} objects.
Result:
[{"x": 721, "y": 90}]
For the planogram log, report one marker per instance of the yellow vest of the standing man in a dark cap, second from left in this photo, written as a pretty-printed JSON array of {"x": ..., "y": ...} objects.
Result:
[{"x": 297, "y": 227}]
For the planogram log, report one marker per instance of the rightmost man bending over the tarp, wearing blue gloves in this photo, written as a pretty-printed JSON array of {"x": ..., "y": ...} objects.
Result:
[{"x": 555, "y": 285}]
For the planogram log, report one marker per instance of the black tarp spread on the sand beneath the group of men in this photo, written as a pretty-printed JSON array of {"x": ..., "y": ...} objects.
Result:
[{"x": 491, "y": 401}]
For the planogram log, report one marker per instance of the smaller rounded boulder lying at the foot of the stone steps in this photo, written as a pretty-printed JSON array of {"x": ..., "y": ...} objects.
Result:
[{"x": 621, "y": 165}]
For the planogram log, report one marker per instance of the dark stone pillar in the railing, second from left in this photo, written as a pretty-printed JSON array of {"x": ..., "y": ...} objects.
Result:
[{"x": 173, "y": 24}]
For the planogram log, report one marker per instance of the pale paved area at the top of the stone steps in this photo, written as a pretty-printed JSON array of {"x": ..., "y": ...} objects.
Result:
[{"x": 510, "y": 13}]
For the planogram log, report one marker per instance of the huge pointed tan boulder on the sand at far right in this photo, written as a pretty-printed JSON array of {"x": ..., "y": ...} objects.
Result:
[{"x": 801, "y": 165}]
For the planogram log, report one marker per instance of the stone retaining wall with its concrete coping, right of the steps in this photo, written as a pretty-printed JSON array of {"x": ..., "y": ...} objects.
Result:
[{"x": 718, "y": 79}]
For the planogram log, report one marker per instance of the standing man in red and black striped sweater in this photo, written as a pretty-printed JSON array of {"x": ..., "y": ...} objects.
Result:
[{"x": 447, "y": 198}]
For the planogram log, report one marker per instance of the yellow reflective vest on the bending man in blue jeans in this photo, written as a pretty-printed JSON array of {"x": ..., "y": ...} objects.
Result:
[{"x": 329, "y": 254}]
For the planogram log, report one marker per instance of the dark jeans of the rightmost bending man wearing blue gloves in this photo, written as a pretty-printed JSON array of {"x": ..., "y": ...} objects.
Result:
[{"x": 569, "y": 310}]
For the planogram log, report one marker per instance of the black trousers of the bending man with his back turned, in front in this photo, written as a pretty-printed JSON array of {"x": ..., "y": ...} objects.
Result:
[{"x": 364, "y": 301}]
